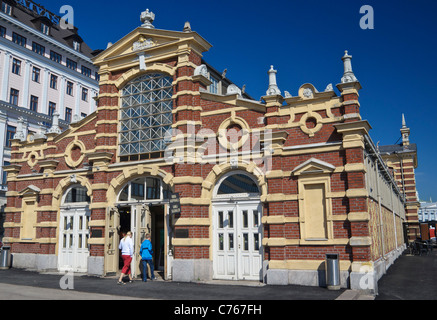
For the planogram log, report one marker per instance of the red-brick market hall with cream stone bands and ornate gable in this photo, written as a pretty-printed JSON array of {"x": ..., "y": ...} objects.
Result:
[{"x": 266, "y": 188}]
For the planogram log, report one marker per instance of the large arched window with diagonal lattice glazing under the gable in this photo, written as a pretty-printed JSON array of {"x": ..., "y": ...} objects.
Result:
[{"x": 146, "y": 116}]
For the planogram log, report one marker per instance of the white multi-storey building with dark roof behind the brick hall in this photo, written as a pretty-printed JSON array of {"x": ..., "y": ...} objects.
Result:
[{"x": 44, "y": 69}]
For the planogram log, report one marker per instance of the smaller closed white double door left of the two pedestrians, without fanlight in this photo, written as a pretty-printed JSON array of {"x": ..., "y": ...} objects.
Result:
[{"x": 73, "y": 241}]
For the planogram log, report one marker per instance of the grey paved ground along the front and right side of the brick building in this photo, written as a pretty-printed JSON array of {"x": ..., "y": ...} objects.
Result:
[{"x": 410, "y": 278}]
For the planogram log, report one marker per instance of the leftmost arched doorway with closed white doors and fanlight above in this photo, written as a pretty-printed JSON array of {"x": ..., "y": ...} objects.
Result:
[{"x": 74, "y": 230}]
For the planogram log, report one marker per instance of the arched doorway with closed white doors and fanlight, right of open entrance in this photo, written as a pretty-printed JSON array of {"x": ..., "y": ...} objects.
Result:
[{"x": 237, "y": 229}]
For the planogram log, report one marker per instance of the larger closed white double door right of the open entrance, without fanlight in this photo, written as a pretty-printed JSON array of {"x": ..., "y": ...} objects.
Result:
[{"x": 237, "y": 241}]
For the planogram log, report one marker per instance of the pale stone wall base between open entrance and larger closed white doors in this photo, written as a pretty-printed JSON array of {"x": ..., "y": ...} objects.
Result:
[{"x": 192, "y": 270}]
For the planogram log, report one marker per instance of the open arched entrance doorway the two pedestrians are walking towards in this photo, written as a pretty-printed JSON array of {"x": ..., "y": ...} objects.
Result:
[{"x": 142, "y": 206}]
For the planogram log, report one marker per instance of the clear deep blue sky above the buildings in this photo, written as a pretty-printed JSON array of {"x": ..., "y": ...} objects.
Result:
[{"x": 305, "y": 40}]
